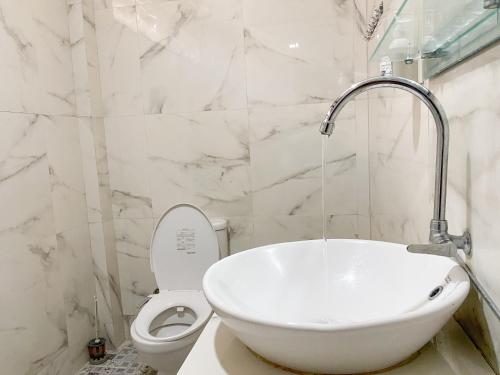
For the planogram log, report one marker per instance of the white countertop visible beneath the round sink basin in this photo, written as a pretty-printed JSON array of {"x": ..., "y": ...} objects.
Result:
[{"x": 219, "y": 352}]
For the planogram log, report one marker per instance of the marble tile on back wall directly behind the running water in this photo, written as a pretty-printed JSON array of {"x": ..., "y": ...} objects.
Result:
[{"x": 286, "y": 161}]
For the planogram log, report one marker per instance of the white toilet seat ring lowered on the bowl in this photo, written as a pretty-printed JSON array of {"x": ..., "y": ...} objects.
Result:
[{"x": 159, "y": 303}]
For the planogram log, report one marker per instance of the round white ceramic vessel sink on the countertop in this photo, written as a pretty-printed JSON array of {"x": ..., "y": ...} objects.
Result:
[{"x": 364, "y": 306}]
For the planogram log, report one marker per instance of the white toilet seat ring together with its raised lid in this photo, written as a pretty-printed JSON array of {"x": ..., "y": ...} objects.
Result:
[{"x": 183, "y": 246}]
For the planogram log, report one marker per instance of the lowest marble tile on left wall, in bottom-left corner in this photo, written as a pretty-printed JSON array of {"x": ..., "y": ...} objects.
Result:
[{"x": 29, "y": 267}]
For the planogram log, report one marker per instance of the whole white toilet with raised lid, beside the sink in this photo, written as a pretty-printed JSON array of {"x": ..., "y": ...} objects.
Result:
[{"x": 184, "y": 245}]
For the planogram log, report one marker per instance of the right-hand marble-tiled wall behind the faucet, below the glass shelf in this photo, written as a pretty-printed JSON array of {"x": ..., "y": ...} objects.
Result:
[{"x": 402, "y": 154}]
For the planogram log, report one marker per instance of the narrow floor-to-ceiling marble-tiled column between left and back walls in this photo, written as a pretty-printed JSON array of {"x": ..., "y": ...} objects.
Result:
[{"x": 89, "y": 108}]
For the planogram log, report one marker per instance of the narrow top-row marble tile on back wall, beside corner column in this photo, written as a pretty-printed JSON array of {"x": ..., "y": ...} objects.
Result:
[{"x": 117, "y": 41}]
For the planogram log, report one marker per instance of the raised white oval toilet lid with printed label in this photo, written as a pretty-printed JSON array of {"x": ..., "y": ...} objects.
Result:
[{"x": 183, "y": 246}]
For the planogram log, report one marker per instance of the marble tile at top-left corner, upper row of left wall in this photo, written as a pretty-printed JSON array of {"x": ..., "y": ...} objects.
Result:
[{"x": 36, "y": 69}]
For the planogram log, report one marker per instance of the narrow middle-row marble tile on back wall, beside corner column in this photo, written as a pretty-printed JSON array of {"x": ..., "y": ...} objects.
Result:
[{"x": 127, "y": 160}]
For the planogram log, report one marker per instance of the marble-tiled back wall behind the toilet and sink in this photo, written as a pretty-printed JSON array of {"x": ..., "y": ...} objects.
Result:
[{"x": 218, "y": 103}]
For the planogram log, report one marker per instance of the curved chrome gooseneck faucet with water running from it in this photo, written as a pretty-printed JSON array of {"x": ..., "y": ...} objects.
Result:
[{"x": 441, "y": 243}]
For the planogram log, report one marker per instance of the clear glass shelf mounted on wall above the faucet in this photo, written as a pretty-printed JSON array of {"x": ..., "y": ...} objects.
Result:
[{"x": 440, "y": 33}]
